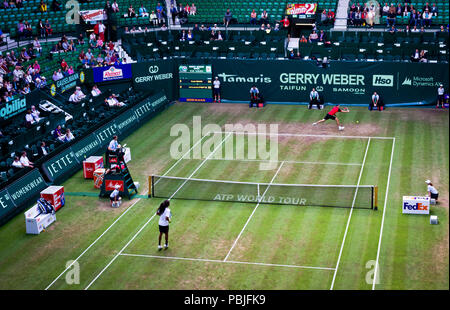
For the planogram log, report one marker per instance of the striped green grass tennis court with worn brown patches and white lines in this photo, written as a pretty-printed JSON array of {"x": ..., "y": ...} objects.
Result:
[{"x": 232, "y": 245}]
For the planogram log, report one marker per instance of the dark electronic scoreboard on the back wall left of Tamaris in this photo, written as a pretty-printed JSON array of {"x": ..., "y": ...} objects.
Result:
[{"x": 195, "y": 83}]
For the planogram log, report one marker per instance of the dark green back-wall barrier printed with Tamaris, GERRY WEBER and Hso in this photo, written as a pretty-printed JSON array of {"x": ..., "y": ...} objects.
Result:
[{"x": 291, "y": 81}]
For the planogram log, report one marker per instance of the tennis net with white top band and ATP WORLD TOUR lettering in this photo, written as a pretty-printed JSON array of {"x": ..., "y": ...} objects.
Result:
[{"x": 345, "y": 196}]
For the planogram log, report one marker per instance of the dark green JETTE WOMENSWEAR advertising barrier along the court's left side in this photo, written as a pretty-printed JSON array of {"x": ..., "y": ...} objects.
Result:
[{"x": 18, "y": 195}]
